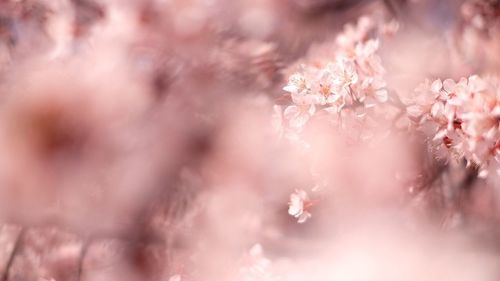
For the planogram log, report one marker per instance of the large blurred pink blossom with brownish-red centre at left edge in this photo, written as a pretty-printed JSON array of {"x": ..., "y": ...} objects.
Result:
[{"x": 62, "y": 132}]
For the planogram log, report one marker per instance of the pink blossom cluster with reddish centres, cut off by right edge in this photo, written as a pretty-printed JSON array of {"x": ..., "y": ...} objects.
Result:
[{"x": 463, "y": 118}]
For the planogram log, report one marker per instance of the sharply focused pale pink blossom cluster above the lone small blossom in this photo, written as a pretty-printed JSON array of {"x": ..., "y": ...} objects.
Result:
[{"x": 348, "y": 74}]
